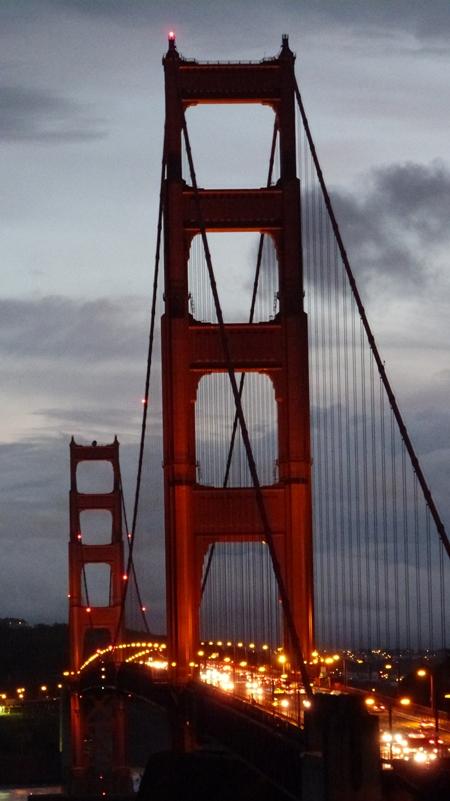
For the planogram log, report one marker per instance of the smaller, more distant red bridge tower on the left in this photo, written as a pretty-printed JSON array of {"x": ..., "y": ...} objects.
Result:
[{"x": 94, "y": 753}]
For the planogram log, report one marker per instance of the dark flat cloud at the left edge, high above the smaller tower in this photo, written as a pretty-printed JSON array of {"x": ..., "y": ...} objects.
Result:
[{"x": 33, "y": 115}]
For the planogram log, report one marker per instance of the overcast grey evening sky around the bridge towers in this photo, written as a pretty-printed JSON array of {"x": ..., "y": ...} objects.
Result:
[{"x": 81, "y": 122}]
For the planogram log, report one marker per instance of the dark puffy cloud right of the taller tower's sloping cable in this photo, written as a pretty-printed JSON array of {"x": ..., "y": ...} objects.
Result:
[{"x": 396, "y": 223}]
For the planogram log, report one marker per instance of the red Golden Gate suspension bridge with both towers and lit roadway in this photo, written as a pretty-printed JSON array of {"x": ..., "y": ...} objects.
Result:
[{"x": 300, "y": 528}]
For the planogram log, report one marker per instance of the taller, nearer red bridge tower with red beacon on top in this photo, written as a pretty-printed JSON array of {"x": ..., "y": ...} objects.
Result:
[{"x": 196, "y": 515}]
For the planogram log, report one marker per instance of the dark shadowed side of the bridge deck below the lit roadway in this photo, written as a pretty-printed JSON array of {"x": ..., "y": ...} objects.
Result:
[{"x": 201, "y": 713}]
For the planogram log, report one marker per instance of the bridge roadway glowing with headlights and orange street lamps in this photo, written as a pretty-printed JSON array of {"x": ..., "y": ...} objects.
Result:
[{"x": 253, "y": 686}]
